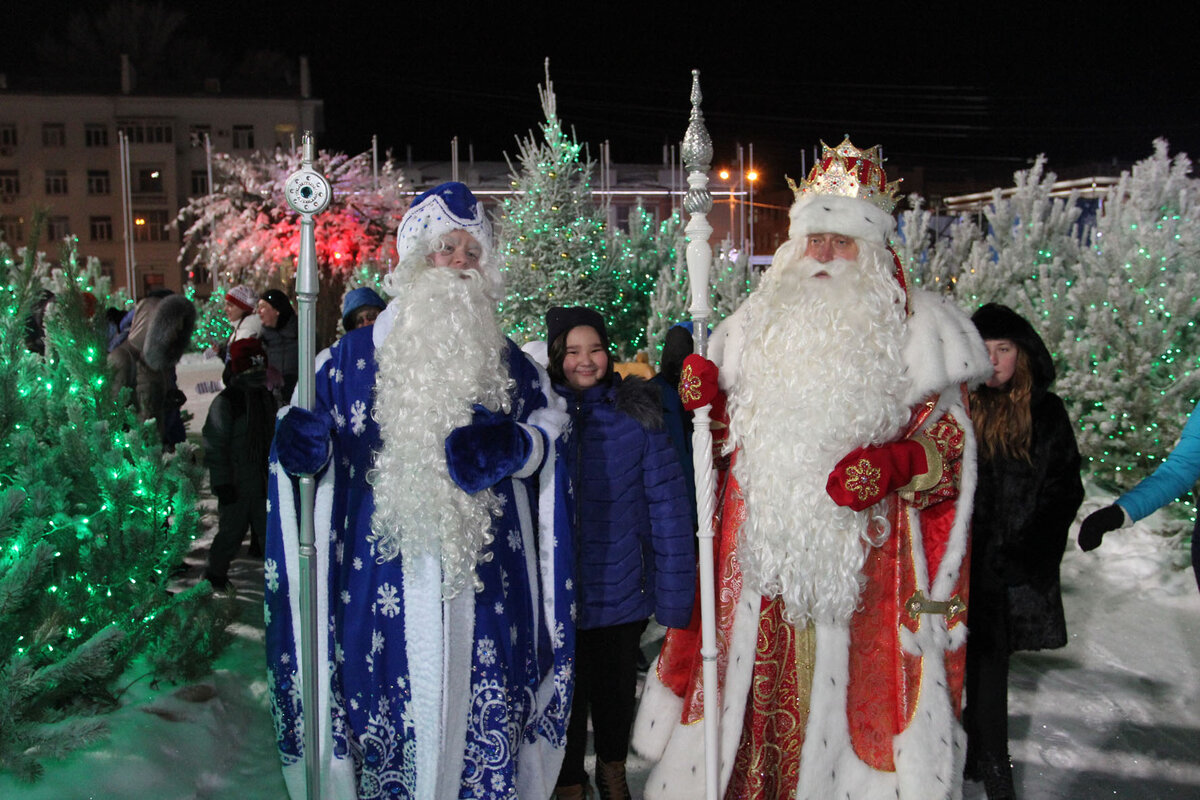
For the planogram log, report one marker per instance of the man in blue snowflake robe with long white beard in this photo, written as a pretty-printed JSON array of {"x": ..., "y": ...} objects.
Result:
[{"x": 443, "y": 540}]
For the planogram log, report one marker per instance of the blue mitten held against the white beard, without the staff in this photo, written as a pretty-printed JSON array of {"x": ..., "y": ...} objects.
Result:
[{"x": 487, "y": 452}]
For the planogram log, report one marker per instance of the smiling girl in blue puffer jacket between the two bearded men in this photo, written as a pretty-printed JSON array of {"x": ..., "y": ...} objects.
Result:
[{"x": 633, "y": 536}]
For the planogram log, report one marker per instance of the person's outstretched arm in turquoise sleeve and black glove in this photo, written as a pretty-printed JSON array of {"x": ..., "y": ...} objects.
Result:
[{"x": 1178, "y": 473}]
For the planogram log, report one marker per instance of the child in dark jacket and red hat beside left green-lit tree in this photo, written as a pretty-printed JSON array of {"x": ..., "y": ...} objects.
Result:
[{"x": 237, "y": 443}]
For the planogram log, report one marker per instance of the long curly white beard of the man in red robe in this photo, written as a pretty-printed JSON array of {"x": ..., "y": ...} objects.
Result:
[{"x": 820, "y": 375}]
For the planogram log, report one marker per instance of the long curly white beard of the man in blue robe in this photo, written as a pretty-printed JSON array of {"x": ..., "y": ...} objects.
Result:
[{"x": 443, "y": 356}]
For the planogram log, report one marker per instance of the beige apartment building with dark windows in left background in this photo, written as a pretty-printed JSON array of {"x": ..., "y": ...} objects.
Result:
[{"x": 62, "y": 153}]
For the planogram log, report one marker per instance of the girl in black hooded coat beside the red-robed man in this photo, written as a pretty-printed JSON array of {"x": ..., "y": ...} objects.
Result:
[{"x": 1028, "y": 495}]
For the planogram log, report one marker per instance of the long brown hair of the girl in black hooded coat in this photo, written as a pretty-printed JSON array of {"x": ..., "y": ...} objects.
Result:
[{"x": 1003, "y": 418}]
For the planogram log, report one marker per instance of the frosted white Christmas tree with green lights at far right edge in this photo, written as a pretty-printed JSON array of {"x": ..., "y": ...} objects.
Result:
[{"x": 1133, "y": 347}]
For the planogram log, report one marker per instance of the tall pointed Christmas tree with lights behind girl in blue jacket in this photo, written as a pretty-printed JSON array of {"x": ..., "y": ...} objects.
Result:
[{"x": 553, "y": 242}]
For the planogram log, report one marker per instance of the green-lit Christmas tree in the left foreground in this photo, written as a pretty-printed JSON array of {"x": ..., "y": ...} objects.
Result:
[{"x": 93, "y": 520}]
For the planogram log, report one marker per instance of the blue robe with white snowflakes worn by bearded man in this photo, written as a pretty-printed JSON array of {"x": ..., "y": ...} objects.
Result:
[{"x": 423, "y": 697}]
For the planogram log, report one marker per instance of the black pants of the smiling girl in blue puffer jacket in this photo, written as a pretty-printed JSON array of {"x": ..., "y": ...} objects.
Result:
[{"x": 605, "y": 687}]
